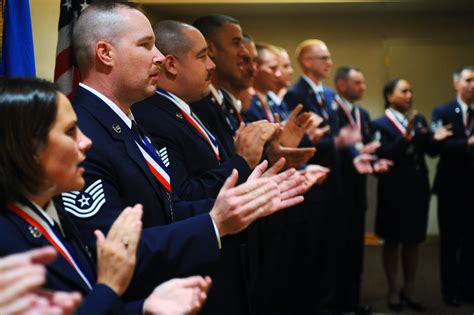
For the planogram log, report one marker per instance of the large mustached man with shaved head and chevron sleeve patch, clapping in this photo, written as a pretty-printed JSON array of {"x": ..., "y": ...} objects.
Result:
[{"x": 119, "y": 66}]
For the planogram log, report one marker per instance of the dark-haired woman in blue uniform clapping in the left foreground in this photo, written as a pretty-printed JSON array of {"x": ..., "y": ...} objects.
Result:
[{"x": 40, "y": 156}]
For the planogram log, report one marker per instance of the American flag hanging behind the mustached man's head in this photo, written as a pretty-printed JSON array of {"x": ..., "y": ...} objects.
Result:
[{"x": 66, "y": 75}]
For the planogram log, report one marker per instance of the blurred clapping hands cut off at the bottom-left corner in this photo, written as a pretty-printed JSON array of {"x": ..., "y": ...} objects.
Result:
[{"x": 21, "y": 276}]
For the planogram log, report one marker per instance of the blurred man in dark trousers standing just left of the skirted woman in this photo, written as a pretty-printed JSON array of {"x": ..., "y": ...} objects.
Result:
[{"x": 356, "y": 161}]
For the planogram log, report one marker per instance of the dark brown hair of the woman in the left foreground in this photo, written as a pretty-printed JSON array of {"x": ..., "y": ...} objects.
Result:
[{"x": 28, "y": 110}]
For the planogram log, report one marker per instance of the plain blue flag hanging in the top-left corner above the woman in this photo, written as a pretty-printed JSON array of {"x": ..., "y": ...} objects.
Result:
[{"x": 18, "y": 57}]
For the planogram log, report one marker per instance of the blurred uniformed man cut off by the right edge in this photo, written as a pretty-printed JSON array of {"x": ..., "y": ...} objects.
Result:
[{"x": 455, "y": 208}]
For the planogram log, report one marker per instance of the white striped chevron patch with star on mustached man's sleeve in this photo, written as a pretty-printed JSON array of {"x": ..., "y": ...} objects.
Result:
[{"x": 87, "y": 203}]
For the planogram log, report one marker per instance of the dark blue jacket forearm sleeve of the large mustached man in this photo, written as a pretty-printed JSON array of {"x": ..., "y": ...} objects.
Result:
[{"x": 181, "y": 249}]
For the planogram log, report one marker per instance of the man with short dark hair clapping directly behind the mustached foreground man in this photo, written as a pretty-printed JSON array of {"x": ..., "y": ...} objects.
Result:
[{"x": 198, "y": 163}]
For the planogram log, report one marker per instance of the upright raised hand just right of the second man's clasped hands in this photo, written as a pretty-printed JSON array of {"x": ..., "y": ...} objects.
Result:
[{"x": 295, "y": 127}]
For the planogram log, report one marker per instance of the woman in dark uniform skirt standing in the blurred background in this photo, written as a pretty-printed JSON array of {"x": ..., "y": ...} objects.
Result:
[{"x": 403, "y": 193}]
